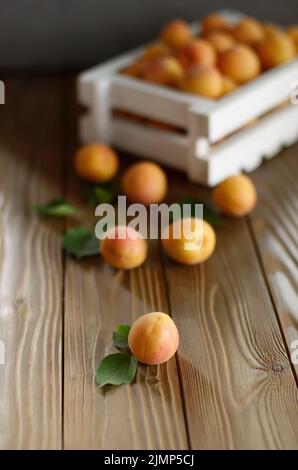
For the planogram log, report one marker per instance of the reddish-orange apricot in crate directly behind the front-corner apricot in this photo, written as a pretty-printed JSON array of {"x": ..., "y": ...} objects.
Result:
[{"x": 197, "y": 52}]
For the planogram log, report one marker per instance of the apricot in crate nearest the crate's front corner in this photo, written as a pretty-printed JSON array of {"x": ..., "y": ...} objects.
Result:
[{"x": 204, "y": 81}]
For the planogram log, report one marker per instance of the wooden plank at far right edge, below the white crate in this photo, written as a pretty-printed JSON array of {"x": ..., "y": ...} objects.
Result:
[{"x": 275, "y": 226}]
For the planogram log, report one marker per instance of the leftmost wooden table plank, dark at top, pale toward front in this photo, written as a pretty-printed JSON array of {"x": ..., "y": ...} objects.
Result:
[{"x": 31, "y": 269}]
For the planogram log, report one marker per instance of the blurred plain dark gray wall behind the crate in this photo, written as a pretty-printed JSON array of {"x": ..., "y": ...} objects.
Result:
[{"x": 72, "y": 34}]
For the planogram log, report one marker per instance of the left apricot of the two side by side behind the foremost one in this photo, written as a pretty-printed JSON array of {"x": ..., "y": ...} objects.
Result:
[{"x": 124, "y": 248}]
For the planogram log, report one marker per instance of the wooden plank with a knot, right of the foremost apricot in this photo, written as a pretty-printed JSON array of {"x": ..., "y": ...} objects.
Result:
[{"x": 237, "y": 380}]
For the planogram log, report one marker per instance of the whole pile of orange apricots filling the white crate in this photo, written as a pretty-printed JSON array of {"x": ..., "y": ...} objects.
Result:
[{"x": 218, "y": 60}]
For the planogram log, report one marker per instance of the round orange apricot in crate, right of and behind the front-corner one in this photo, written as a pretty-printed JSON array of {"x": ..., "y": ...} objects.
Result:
[{"x": 240, "y": 63}]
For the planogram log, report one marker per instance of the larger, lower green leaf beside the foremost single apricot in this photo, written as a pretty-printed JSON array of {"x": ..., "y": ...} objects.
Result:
[{"x": 116, "y": 369}]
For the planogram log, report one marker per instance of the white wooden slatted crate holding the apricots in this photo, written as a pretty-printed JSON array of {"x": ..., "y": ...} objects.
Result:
[{"x": 221, "y": 137}]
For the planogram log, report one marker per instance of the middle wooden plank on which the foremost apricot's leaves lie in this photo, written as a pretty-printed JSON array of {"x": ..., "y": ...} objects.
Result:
[{"x": 145, "y": 415}]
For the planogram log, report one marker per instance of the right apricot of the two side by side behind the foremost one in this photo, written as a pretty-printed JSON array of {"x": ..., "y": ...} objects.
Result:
[{"x": 195, "y": 244}]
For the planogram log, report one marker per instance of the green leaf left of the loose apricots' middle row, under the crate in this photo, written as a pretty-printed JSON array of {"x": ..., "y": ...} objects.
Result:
[{"x": 81, "y": 242}]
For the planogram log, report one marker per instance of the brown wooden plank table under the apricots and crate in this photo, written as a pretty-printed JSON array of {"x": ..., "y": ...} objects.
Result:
[{"x": 231, "y": 386}]
